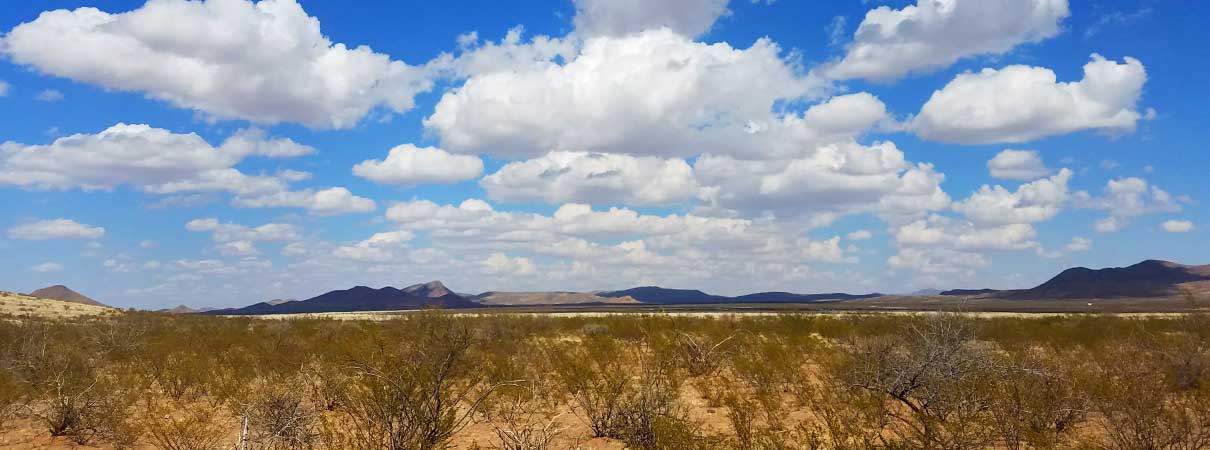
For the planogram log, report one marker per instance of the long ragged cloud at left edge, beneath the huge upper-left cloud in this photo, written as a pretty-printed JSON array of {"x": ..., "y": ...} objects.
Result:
[{"x": 159, "y": 161}]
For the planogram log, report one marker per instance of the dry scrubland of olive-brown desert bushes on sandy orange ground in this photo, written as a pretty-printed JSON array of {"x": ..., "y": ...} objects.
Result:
[{"x": 420, "y": 382}]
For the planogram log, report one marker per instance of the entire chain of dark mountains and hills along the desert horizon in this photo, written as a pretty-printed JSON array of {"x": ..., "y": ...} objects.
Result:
[{"x": 1150, "y": 279}]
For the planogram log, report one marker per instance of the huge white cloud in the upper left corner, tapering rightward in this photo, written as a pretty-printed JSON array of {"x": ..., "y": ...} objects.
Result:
[{"x": 267, "y": 62}]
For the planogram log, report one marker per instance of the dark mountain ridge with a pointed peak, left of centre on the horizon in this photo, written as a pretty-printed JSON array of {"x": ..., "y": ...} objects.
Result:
[{"x": 364, "y": 299}]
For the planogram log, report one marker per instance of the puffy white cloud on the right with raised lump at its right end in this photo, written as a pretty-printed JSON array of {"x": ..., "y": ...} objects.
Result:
[{"x": 1022, "y": 103}]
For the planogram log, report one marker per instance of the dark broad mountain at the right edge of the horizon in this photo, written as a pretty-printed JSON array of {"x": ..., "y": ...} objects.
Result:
[{"x": 1149, "y": 279}]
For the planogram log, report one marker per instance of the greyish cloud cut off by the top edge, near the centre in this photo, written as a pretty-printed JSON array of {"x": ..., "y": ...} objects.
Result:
[{"x": 623, "y": 18}]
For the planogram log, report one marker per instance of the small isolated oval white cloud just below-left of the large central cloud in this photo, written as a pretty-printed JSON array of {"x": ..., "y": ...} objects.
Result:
[{"x": 408, "y": 165}]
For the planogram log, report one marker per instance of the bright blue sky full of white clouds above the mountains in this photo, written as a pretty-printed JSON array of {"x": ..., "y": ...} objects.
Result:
[{"x": 222, "y": 153}]
